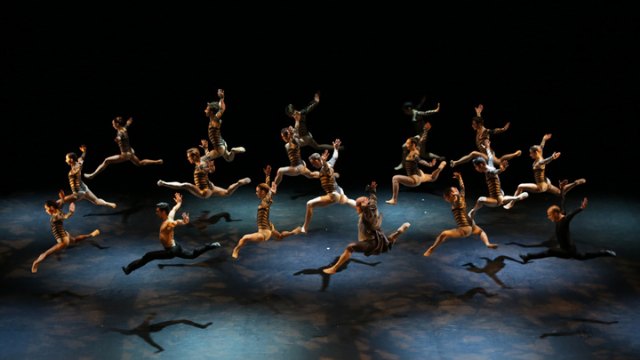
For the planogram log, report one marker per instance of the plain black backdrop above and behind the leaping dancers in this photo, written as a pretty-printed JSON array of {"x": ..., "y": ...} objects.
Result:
[{"x": 566, "y": 71}]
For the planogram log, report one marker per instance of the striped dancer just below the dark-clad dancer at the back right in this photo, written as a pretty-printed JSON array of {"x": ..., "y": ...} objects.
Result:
[{"x": 415, "y": 176}]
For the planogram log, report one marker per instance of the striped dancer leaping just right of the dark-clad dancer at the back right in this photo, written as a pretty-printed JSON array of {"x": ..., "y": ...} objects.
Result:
[{"x": 483, "y": 144}]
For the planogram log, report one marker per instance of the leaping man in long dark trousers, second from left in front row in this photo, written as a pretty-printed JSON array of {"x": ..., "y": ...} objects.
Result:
[{"x": 171, "y": 248}]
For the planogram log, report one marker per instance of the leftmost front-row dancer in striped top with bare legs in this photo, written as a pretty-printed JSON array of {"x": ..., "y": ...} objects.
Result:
[{"x": 63, "y": 238}]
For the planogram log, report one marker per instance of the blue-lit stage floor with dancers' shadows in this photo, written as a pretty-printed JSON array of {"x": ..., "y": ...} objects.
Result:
[{"x": 464, "y": 302}]
